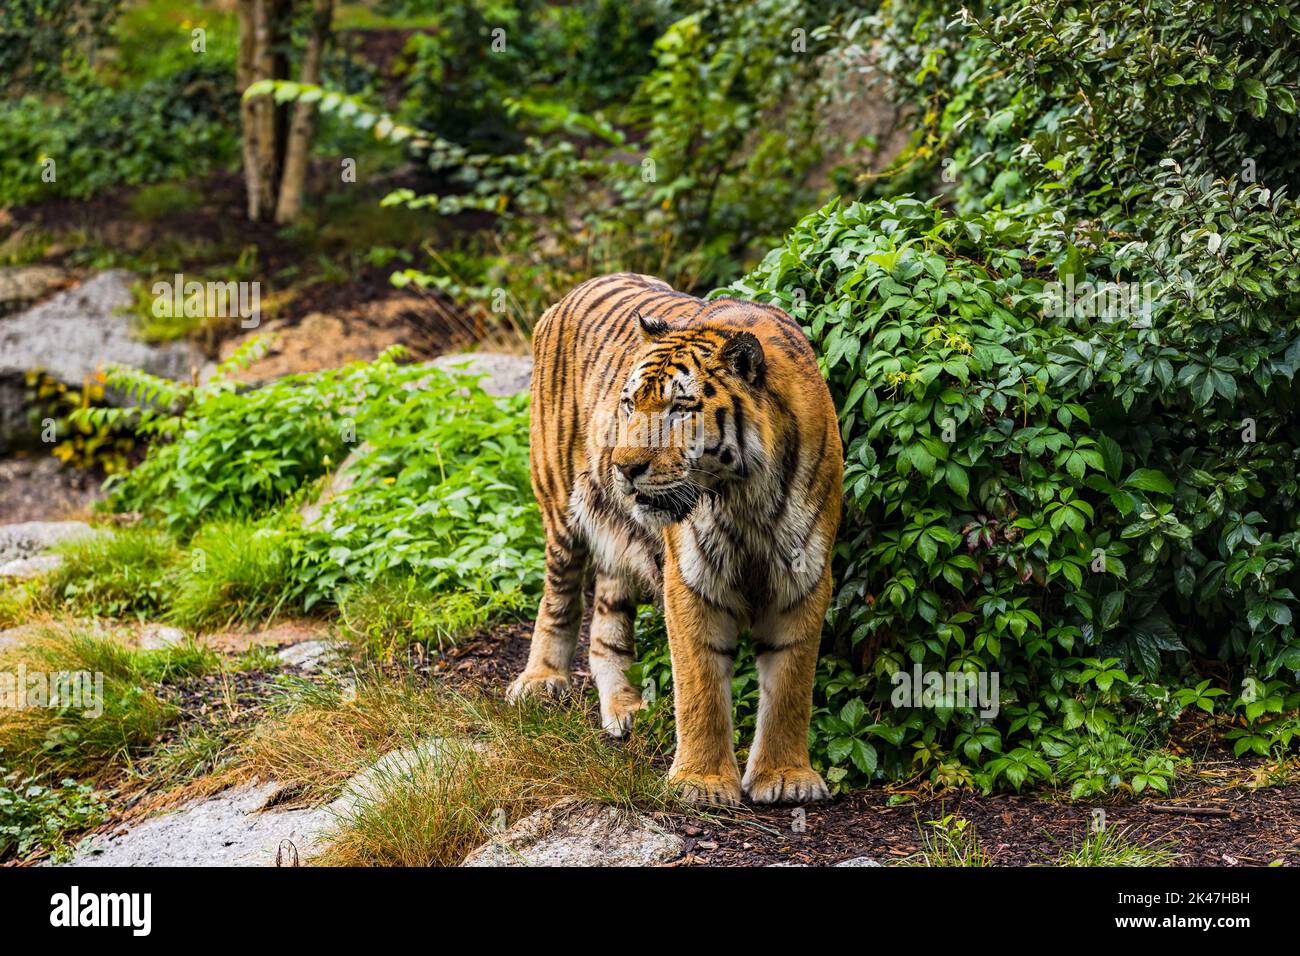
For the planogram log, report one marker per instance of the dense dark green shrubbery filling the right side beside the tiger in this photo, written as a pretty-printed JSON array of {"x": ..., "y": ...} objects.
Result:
[{"x": 1068, "y": 393}]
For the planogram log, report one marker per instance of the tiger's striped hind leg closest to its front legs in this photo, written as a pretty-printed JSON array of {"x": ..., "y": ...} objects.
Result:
[{"x": 614, "y": 651}]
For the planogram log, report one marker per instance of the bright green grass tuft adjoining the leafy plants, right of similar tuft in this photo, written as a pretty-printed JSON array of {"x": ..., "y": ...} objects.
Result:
[{"x": 237, "y": 574}]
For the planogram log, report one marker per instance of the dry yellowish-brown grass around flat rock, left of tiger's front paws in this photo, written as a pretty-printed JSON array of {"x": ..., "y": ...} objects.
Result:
[{"x": 495, "y": 764}]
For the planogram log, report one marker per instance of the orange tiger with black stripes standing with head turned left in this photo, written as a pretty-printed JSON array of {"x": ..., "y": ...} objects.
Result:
[{"x": 688, "y": 453}]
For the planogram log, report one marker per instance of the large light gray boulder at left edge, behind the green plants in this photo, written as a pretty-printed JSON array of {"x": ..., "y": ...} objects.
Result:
[{"x": 71, "y": 338}]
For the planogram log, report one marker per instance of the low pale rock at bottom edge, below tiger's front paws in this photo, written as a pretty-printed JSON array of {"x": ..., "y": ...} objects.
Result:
[{"x": 578, "y": 834}]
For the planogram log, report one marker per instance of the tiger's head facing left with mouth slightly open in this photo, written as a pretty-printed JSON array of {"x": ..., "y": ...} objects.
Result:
[{"x": 687, "y": 419}]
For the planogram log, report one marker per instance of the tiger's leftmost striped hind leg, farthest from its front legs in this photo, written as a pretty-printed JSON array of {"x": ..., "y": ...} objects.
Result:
[{"x": 560, "y": 617}]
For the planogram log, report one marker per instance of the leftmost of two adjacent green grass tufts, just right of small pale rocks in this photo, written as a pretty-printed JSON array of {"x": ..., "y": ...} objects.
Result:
[{"x": 123, "y": 574}]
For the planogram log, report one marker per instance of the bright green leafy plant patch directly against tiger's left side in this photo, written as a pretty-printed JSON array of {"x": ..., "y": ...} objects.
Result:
[{"x": 443, "y": 492}]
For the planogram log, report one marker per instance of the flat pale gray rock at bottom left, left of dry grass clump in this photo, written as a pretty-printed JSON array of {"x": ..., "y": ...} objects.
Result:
[{"x": 224, "y": 830}]
